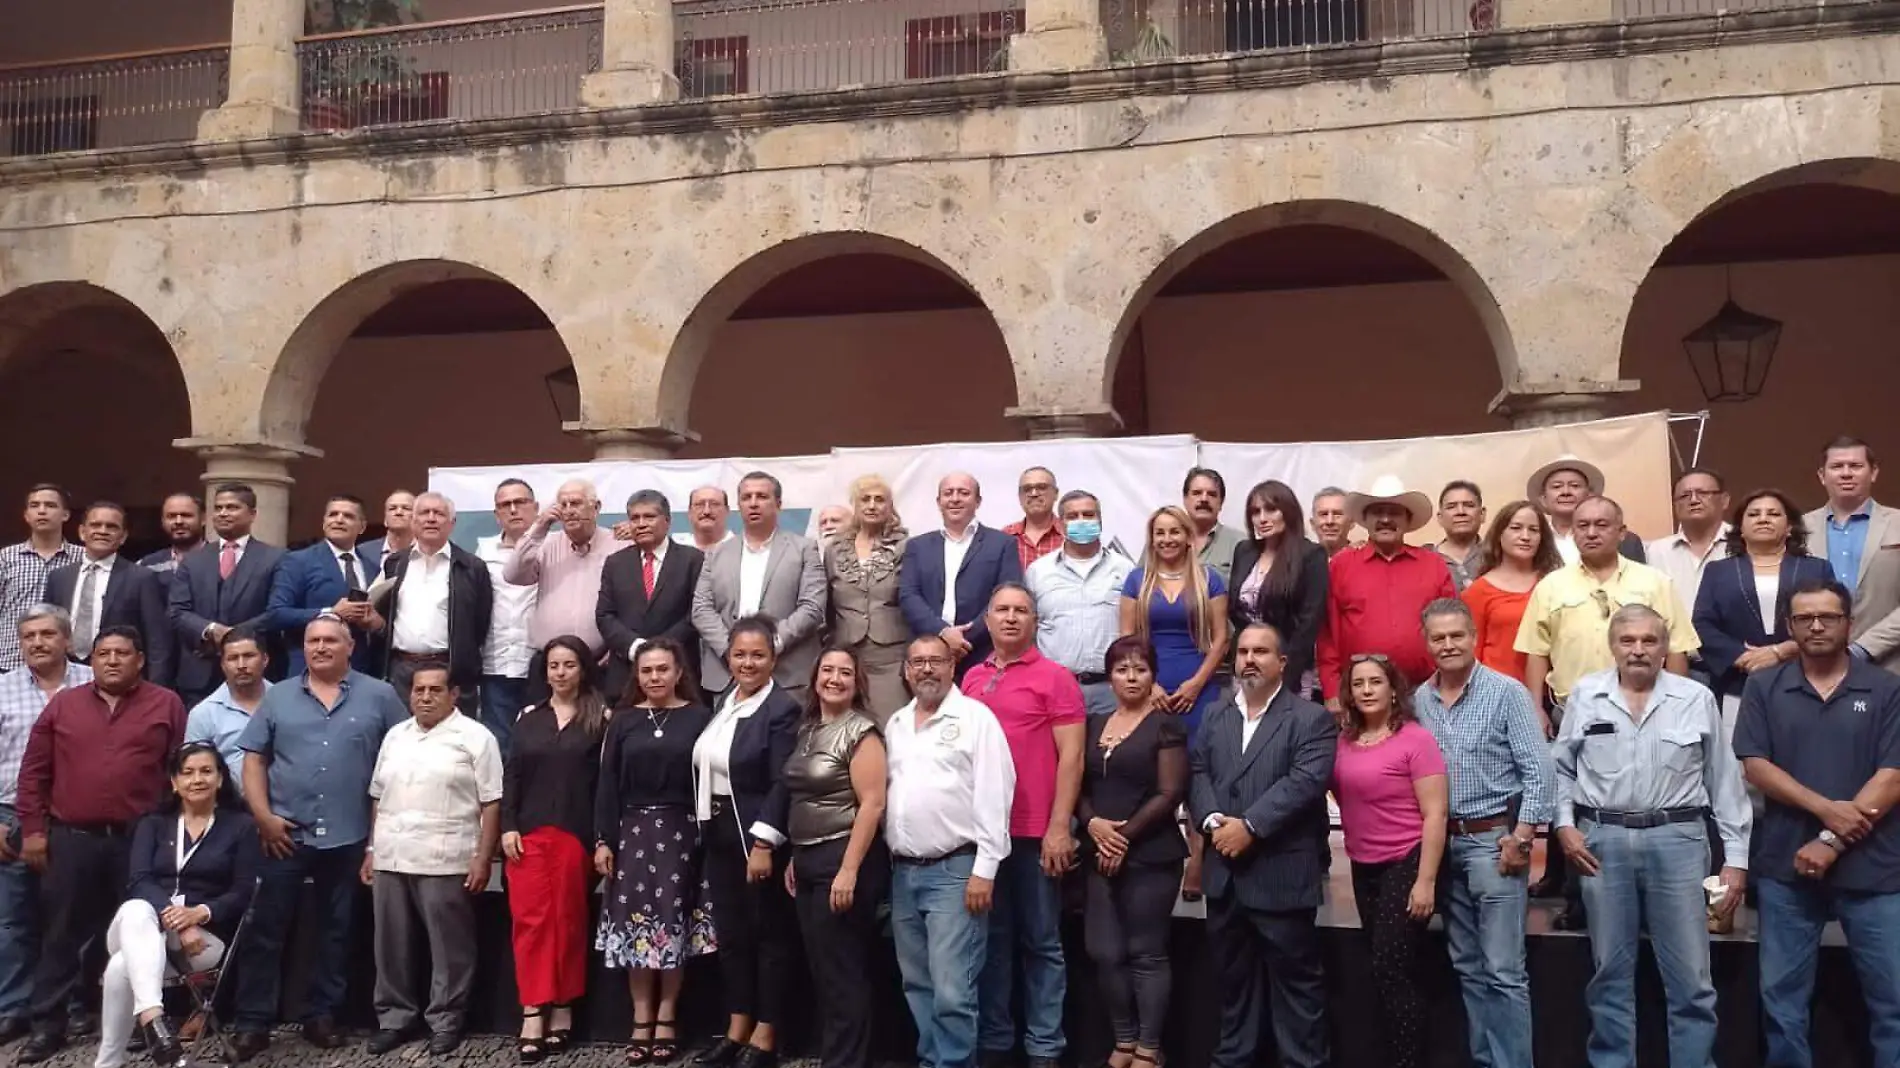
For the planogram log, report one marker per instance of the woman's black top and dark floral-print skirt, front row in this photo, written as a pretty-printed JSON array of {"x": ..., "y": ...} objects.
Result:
[{"x": 656, "y": 913}]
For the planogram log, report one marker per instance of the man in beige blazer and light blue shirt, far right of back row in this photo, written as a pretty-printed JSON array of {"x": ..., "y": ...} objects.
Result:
[{"x": 1861, "y": 539}]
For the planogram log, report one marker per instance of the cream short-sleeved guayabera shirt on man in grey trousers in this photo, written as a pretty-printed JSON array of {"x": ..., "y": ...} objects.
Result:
[{"x": 430, "y": 788}]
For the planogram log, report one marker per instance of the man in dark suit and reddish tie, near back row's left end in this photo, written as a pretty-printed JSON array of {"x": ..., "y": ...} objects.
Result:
[{"x": 221, "y": 586}]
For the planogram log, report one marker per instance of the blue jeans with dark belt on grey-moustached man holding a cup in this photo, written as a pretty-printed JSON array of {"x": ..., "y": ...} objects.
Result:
[{"x": 1650, "y": 881}]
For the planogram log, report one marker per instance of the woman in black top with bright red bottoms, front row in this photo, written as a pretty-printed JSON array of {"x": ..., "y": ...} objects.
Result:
[{"x": 548, "y": 795}]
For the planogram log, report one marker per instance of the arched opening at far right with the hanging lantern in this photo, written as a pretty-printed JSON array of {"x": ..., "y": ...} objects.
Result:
[{"x": 1817, "y": 252}]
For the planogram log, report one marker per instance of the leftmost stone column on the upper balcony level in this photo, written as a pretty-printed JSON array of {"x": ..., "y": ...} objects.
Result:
[{"x": 265, "y": 100}]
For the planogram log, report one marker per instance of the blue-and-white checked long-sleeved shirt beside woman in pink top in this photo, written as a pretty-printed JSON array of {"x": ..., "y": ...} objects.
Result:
[{"x": 1492, "y": 746}]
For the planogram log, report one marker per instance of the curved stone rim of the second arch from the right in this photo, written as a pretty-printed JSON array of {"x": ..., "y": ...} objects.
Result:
[{"x": 1352, "y": 216}]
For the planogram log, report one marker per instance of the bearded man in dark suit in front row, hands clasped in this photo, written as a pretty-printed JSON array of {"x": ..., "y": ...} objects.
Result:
[{"x": 1259, "y": 791}]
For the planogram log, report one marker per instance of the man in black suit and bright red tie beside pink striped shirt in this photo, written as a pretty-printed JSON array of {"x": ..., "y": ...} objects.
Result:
[{"x": 647, "y": 594}]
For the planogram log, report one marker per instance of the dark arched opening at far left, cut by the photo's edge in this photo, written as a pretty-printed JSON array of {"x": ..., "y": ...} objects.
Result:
[{"x": 90, "y": 398}]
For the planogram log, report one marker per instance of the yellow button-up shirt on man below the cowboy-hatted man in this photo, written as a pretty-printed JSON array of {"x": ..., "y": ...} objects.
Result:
[{"x": 1568, "y": 619}]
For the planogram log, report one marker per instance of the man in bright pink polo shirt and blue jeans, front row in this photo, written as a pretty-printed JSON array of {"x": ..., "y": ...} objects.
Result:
[{"x": 1042, "y": 712}]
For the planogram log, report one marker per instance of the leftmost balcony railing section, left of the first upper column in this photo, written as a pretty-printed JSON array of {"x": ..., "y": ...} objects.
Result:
[{"x": 113, "y": 102}]
